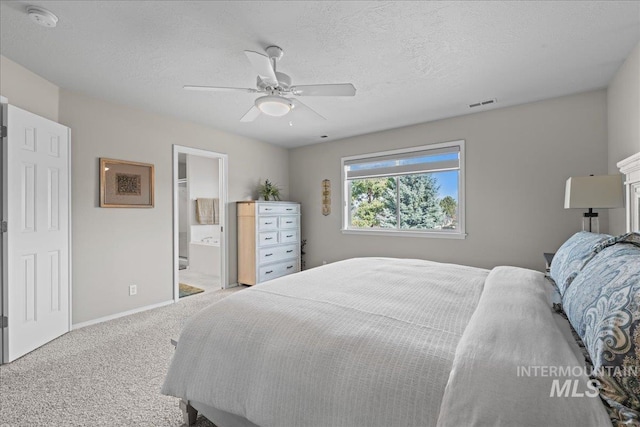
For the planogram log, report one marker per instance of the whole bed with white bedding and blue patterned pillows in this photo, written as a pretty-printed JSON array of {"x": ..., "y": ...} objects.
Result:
[{"x": 408, "y": 342}]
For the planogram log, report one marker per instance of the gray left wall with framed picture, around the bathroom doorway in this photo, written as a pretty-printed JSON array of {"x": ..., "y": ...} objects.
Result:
[{"x": 114, "y": 248}]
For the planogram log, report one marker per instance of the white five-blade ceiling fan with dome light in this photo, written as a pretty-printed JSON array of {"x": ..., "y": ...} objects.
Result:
[{"x": 277, "y": 87}]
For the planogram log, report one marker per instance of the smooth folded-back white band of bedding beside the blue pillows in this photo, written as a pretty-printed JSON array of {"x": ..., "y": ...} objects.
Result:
[{"x": 510, "y": 357}]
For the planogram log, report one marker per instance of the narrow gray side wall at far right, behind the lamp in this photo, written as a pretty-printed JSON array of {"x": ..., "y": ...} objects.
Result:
[{"x": 623, "y": 111}]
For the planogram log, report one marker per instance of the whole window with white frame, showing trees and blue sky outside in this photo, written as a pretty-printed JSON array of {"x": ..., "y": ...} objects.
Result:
[{"x": 416, "y": 191}]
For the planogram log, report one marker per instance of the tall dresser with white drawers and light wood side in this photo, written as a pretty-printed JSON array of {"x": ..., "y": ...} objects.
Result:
[{"x": 268, "y": 240}]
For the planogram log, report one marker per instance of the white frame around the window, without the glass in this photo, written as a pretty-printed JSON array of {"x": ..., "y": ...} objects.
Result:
[{"x": 459, "y": 233}]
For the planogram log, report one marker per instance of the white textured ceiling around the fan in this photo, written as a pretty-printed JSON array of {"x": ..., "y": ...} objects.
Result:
[{"x": 411, "y": 62}]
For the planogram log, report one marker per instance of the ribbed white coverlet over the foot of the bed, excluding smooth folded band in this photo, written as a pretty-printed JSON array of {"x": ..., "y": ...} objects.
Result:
[{"x": 362, "y": 342}]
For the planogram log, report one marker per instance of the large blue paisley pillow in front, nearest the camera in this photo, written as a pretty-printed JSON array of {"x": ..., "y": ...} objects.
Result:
[{"x": 603, "y": 305}]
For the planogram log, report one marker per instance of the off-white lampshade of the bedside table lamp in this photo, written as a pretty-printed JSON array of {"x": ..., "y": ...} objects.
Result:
[{"x": 604, "y": 191}]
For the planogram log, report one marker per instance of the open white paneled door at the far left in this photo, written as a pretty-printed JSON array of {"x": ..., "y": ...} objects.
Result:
[{"x": 36, "y": 197}]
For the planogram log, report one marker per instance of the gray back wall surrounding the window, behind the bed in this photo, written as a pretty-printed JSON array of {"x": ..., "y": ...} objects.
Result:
[{"x": 517, "y": 162}]
